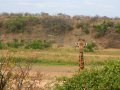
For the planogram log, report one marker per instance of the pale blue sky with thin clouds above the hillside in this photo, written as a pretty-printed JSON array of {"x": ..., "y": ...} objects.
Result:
[{"x": 110, "y": 8}]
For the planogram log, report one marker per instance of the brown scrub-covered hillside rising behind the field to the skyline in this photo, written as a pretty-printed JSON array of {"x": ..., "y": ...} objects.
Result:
[{"x": 61, "y": 30}]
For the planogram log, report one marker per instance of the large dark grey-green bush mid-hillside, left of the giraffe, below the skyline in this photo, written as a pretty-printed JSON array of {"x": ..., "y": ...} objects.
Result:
[{"x": 56, "y": 24}]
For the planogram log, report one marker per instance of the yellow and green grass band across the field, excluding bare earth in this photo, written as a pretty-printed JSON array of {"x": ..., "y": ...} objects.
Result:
[{"x": 60, "y": 56}]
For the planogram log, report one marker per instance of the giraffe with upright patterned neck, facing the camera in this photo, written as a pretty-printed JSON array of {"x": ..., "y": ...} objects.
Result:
[{"x": 81, "y": 44}]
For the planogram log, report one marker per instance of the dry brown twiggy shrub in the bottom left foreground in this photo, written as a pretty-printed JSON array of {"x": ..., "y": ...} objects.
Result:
[{"x": 15, "y": 76}]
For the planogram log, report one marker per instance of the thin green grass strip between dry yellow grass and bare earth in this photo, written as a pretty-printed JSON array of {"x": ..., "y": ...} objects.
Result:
[{"x": 38, "y": 61}]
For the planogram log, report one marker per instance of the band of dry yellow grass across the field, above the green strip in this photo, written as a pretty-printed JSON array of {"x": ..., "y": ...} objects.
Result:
[{"x": 64, "y": 54}]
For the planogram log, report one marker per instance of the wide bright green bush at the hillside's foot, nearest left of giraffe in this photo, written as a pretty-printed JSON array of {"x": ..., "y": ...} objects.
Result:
[{"x": 38, "y": 44}]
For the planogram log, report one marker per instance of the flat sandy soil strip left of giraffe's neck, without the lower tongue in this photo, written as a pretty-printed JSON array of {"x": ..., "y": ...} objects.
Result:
[{"x": 55, "y": 71}]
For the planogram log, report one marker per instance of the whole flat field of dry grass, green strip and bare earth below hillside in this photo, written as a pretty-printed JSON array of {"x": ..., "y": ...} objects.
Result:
[{"x": 57, "y": 63}]
